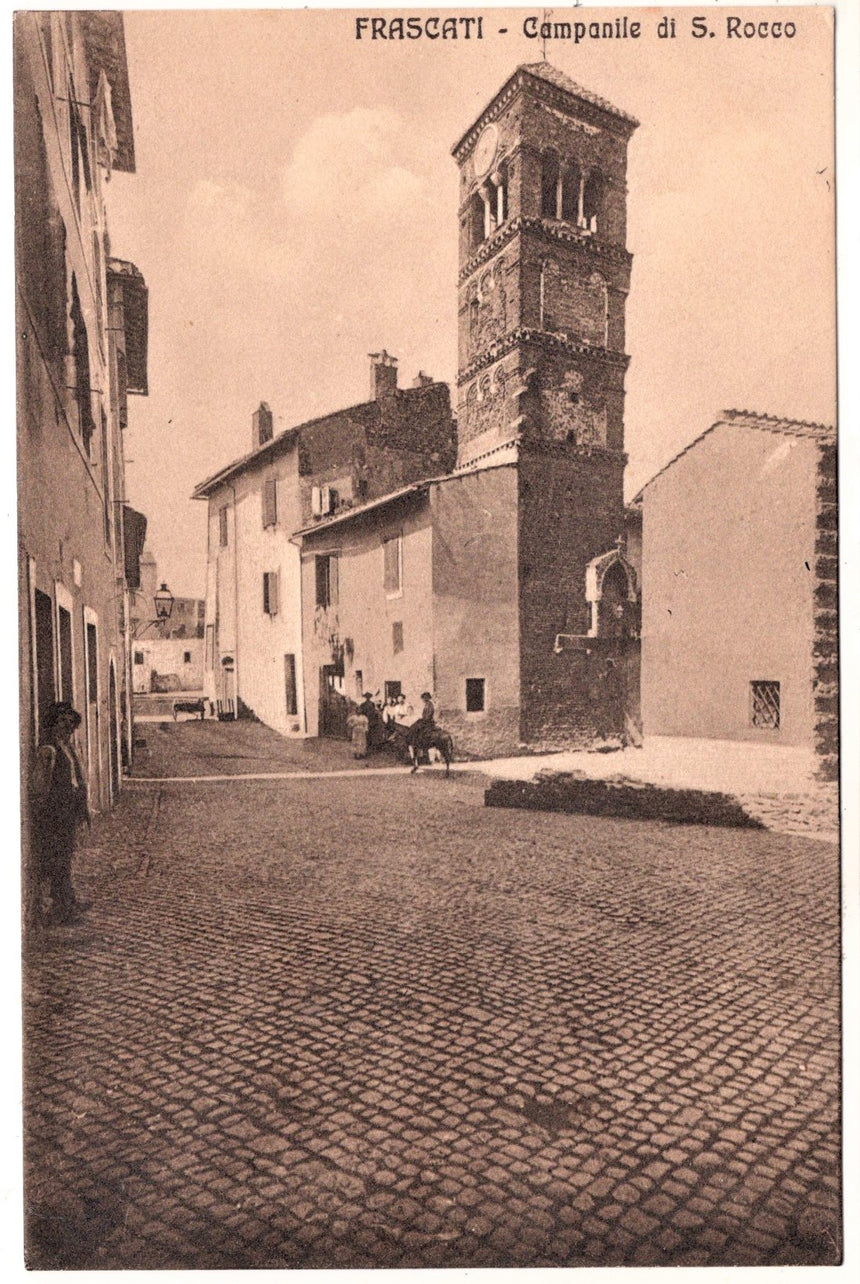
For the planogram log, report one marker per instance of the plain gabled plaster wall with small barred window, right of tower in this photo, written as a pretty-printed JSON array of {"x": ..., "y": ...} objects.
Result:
[{"x": 736, "y": 590}]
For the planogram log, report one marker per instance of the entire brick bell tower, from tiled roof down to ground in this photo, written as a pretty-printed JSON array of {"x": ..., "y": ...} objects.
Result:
[{"x": 544, "y": 282}]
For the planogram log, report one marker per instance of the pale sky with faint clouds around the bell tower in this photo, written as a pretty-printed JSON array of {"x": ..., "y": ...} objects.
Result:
[{"x": 295, "y": 209}]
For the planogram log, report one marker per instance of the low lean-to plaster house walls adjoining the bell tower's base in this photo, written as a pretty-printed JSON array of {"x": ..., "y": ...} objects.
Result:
[{"x": 451, "y": 627}]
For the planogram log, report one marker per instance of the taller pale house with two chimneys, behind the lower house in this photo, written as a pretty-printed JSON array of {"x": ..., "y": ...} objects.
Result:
[{"x": 254, "y": 657}]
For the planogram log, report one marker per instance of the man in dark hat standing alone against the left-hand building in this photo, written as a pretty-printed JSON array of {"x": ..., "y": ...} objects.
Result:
[{"x": 60, "y": 804}]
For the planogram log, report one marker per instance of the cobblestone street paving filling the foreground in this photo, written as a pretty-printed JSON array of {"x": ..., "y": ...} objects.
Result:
[{"x": 373, "y": 1023}]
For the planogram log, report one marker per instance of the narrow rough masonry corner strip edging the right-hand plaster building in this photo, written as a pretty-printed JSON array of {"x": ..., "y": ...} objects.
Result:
[{"x": 826, "y": 648}]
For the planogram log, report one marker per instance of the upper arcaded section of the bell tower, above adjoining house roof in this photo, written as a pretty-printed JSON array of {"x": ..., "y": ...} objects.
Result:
[{"x": 544, "y": 268}]
